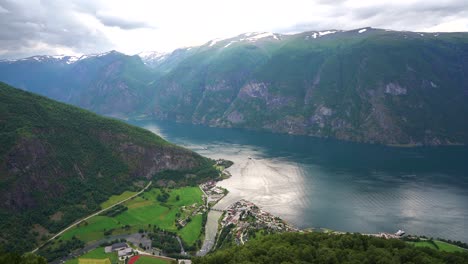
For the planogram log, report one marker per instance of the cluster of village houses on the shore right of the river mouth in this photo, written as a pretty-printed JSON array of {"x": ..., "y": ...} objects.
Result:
[{"x": 245, "y": 216}]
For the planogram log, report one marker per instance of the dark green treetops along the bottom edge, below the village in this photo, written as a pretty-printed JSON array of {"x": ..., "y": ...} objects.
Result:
[{"x": 326, "y": 248}]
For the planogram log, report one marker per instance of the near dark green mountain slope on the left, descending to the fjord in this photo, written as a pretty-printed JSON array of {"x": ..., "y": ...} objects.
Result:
[{"x": 59, "y": 162}]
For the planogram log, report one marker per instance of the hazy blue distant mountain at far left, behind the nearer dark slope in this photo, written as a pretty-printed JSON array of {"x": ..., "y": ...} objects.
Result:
[{"x": 109, "y": 83}]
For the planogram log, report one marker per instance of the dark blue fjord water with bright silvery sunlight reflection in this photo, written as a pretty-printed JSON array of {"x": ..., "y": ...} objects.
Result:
[{"x": 344, "y": 186}]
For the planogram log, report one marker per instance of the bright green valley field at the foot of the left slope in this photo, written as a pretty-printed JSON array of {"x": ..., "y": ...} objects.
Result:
[{"x": 143, "y": 211}]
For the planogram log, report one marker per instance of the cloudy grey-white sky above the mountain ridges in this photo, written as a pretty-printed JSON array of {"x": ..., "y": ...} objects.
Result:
[{"x": 31, "y": 27}]
